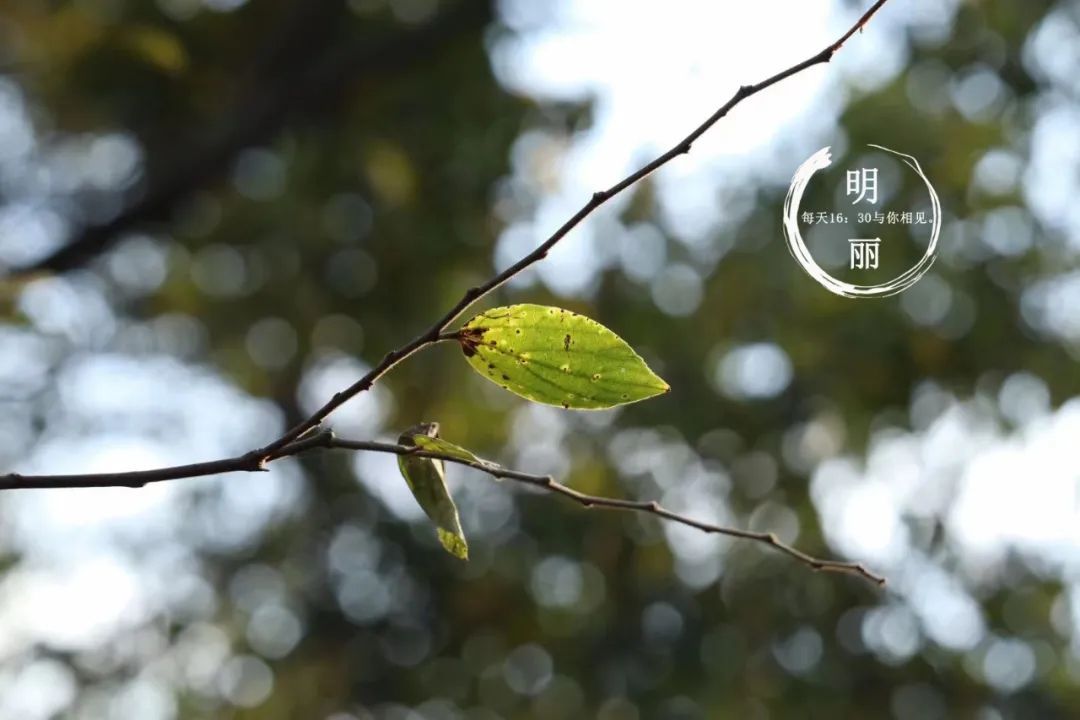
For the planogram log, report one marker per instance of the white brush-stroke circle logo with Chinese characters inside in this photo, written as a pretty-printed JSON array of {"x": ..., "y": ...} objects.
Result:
[{"x": 863, "y": 252}]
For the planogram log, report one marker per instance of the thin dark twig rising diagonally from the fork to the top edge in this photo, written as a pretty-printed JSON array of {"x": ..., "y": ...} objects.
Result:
[{"x": 434, "y": 334}]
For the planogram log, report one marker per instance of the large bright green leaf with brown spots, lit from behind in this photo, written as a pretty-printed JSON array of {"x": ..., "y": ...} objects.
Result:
[{"x": 558, "y": 358}]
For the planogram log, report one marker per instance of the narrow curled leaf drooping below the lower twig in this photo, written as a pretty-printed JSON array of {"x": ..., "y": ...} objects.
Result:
[{"x": 427, "y": 480}]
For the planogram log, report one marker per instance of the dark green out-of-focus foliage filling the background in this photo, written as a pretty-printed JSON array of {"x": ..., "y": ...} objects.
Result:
[{"x": 340, "y": 222}]
